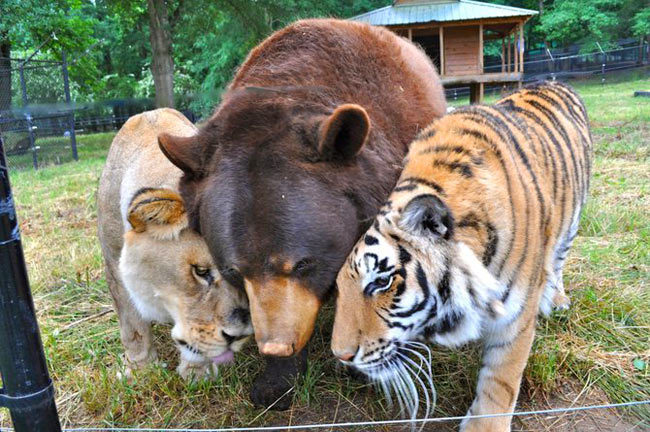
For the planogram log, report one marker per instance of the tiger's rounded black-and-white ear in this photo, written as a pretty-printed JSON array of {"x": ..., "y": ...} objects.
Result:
[{"x": 427, "y": 215}]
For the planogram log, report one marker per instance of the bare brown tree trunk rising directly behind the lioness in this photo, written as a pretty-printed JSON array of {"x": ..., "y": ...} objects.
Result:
[{"x": 162, "y": 64}]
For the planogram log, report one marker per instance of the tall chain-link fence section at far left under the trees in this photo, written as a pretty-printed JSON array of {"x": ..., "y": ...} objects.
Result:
[{"x": 36, "y": 118}]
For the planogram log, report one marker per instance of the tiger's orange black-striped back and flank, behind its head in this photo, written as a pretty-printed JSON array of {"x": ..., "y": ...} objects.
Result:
[{"x": 540, "y": 151}]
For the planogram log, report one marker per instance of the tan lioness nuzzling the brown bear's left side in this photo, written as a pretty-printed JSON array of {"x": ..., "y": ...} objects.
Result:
[{"x": 158, "y": 269}]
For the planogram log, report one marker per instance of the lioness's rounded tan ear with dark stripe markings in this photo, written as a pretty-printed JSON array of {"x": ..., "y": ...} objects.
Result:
[{"x": 160, "y": 212}]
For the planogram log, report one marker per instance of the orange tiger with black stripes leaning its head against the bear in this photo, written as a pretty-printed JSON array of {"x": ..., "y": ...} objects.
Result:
[{"x": 470, "y": 246}]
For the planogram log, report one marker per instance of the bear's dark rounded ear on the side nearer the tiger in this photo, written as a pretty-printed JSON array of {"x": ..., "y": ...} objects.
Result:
[{"x": 344, "y": 132}]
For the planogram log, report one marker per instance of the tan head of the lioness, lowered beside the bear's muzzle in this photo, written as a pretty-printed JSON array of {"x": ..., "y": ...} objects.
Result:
[{"x": 169, "y": 273}]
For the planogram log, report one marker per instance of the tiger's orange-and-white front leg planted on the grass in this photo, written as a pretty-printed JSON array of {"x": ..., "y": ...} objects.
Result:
[{"x": 503, "y": 363}]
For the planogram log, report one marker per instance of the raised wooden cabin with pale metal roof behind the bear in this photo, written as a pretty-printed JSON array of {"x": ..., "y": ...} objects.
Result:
[{"x": 453, "y": 33}]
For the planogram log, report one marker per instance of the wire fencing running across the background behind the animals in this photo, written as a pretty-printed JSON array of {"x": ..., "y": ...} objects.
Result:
[{"x": 39, "y": 123}]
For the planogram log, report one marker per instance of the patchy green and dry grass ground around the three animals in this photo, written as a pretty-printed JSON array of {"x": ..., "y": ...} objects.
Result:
[{"x": 601, "y": 343}]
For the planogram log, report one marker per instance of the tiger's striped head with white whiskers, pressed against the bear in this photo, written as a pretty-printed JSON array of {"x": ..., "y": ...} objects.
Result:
[{"x": 410, "y": 278}]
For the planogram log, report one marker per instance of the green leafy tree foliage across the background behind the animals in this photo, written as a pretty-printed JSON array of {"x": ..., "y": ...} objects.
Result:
[{"x": 110, "y": 56}]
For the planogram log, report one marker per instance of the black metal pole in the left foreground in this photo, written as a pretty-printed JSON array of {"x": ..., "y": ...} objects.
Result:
[{"x": 27, "y": 389}]
